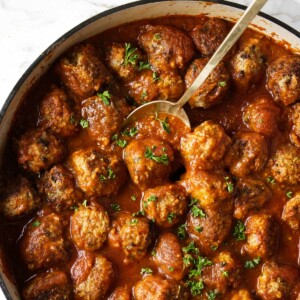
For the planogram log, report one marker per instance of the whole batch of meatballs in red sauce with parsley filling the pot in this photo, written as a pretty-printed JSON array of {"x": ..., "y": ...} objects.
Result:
[{"x": 156, "y": 210}]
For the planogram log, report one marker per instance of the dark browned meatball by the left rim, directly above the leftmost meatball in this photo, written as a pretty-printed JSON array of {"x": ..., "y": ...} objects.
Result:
[{"x": 38, "y": 150}]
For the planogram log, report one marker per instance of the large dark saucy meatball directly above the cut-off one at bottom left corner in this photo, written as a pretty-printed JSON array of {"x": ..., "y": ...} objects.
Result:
[{"x": 43, "y": 243}]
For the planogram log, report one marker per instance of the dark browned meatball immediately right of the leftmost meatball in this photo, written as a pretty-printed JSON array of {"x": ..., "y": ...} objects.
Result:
[{"x": 59, "y": 187}]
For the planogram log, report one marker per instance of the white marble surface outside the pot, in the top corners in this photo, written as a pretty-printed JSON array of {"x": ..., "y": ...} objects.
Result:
[{"x": 29, "y": 27}]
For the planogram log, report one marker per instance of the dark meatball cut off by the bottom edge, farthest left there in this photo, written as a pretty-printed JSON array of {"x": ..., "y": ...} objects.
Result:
[{"x": 50, "y": 285}]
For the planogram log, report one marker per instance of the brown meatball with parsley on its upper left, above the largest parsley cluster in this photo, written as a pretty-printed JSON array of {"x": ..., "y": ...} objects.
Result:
[{"x": 210, "y": 229}]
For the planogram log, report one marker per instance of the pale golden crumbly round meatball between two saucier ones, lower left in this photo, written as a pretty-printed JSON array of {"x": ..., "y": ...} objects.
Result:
[{"x": 89, "y": 227}]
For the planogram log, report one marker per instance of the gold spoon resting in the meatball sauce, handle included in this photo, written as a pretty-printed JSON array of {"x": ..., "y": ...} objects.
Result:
[{"x": 168, "y": 107}]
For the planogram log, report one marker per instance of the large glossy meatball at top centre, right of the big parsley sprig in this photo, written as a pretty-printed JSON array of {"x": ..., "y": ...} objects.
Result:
[{"x": 167, "y": 47}]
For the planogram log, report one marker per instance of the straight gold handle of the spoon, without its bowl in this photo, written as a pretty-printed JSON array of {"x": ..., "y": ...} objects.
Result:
[{"x": 226, "y": 45}]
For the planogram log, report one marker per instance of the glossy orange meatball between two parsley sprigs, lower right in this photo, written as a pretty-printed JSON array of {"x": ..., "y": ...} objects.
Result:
[{"x": 262, "y": 236}]
